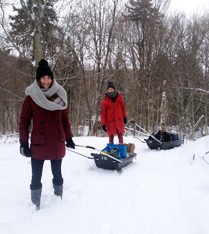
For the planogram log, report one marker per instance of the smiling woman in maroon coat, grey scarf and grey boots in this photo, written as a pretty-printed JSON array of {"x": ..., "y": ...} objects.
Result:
[{"x": 46, "y": 105}]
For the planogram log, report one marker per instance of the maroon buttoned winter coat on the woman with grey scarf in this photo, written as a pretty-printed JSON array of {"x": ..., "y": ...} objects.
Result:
[{"x": 49, "y": 131}]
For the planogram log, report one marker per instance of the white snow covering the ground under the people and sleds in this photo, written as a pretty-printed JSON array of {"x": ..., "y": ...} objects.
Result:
[{"x": 161, "y": 192}]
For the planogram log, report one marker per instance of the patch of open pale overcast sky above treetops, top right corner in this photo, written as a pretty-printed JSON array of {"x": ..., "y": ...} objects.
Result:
[{"x": 190, "y": 7}]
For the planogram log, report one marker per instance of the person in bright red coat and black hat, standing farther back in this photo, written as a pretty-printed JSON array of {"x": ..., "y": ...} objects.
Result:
[{"x": 113, "y": 114}]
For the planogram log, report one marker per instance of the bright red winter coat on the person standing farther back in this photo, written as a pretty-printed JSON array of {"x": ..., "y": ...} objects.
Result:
[{"x": 113, "y": 114}]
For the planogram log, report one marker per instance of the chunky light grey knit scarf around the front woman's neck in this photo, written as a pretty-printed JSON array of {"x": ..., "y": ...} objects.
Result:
[{"x": 40, "y": 96}]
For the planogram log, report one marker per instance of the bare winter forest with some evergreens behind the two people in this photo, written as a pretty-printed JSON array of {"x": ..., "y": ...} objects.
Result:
[{"x": 158, "y": 61}]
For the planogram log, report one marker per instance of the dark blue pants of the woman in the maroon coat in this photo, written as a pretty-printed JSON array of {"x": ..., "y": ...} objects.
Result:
[{"x": 37, "y": 168}]
